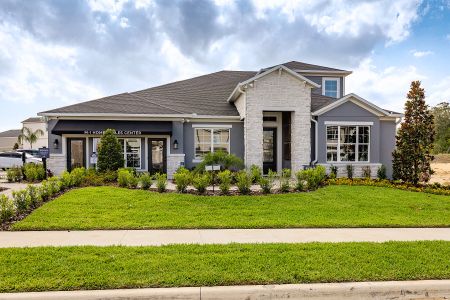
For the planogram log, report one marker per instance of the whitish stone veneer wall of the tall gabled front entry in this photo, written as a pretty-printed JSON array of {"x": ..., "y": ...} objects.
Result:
[{"x": 278, "y": 91}]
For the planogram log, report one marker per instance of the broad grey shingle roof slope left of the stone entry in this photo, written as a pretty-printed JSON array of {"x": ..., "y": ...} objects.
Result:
[{"x": 203, "y": 95}]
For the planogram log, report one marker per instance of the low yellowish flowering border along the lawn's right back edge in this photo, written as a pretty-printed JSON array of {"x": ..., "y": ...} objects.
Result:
[{"x": 434, "y": 188}]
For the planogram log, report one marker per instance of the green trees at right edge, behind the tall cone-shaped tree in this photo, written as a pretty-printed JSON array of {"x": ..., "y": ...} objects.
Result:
[{"x": 441, "y": 113}]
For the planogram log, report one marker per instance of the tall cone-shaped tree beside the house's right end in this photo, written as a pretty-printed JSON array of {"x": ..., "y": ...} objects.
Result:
[{"x": 414, "y": 142}]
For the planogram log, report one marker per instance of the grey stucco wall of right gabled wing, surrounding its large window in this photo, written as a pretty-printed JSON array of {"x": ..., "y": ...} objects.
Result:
[{"x": 382, "y": 133}]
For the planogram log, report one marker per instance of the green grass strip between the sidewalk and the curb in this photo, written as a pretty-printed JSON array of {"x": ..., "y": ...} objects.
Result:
[{"x": 72, "y": 268}]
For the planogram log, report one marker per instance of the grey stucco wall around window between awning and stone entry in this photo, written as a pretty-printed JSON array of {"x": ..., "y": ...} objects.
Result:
[{"x": 236, "y": 141}]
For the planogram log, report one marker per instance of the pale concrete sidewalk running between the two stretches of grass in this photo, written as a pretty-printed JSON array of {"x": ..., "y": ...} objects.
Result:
[{"x": 216, "y": 236}]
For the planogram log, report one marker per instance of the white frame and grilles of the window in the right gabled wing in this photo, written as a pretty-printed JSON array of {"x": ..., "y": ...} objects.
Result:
[{"x": 357, "y": 143}]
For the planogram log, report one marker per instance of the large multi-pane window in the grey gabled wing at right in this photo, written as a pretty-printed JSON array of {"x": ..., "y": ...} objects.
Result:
[{"x": 348, "y": 143}]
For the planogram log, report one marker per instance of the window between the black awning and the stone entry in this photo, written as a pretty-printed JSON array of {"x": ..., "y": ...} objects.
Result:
[{"x": 211, "y": 140}]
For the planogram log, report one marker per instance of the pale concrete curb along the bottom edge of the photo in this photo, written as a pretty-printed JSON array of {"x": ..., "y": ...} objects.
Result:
[{"x": 423, "y": 289}]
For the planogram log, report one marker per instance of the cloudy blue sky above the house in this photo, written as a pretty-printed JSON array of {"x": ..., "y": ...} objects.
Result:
[{"x": 58, "y": 52}]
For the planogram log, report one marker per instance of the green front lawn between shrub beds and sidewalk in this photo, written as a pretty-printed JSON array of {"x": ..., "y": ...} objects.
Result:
[{"x": 332, "y": 206}]
